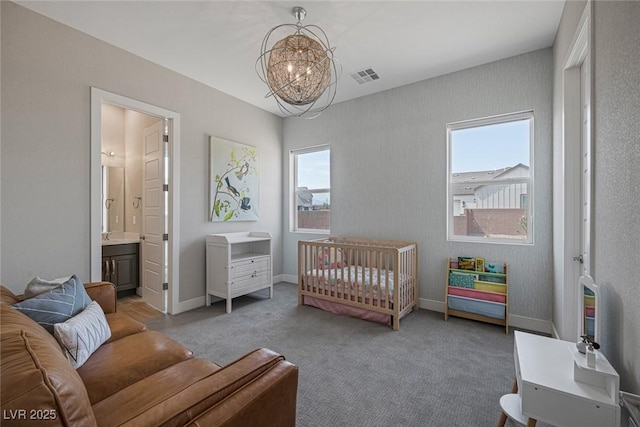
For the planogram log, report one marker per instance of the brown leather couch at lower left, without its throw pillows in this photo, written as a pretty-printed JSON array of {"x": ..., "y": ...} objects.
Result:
[{"x": 136, "y": 378}]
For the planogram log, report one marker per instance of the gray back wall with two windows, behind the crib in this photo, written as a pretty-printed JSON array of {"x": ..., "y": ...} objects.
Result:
[{"x": 388, "y": 166}]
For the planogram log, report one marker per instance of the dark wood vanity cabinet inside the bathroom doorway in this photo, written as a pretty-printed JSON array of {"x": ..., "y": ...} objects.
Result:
[{"x": 120, "y": 265}]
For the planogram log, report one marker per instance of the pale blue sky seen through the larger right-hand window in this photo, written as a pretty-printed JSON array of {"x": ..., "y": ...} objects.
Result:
[{"x": 491, "y": 147}]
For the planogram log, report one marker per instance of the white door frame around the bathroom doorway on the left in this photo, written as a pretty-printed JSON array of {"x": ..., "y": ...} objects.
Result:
[{"x": 98, "y": 97}]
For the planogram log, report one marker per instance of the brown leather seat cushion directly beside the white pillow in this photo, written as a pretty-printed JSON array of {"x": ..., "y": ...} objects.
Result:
[{"x": 118, "y": 364}]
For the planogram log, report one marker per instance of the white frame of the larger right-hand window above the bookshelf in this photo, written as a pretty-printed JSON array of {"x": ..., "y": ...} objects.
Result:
[{"x": 529, "y": 181}]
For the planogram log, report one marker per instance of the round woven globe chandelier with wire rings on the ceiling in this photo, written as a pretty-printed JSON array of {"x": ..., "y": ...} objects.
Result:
[{"x": 300, "y": 69}]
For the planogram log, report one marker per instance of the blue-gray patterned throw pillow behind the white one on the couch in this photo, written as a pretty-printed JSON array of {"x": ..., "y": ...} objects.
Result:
[{"x": 56, "y": 306}]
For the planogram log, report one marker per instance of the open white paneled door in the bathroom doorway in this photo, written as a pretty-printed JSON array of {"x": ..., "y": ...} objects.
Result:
[{"x": 153, "y": 222}]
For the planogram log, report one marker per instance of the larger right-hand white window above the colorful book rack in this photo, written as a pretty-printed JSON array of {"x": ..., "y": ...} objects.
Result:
[{"x": 490, "y": 179}]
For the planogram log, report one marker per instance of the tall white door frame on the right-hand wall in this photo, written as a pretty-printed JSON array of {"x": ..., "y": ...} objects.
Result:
[{"x": 580, "y": 52}]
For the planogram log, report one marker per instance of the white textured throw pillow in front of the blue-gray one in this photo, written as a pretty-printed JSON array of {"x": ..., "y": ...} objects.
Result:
[{"x": 81, "y": 335}]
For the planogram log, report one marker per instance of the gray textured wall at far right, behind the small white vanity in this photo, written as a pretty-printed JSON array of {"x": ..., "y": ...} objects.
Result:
[{"x": 617, "y": 183}]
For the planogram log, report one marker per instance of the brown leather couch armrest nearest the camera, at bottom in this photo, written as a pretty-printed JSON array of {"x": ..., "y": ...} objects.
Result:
[{"x": 261, "y": 385}]
